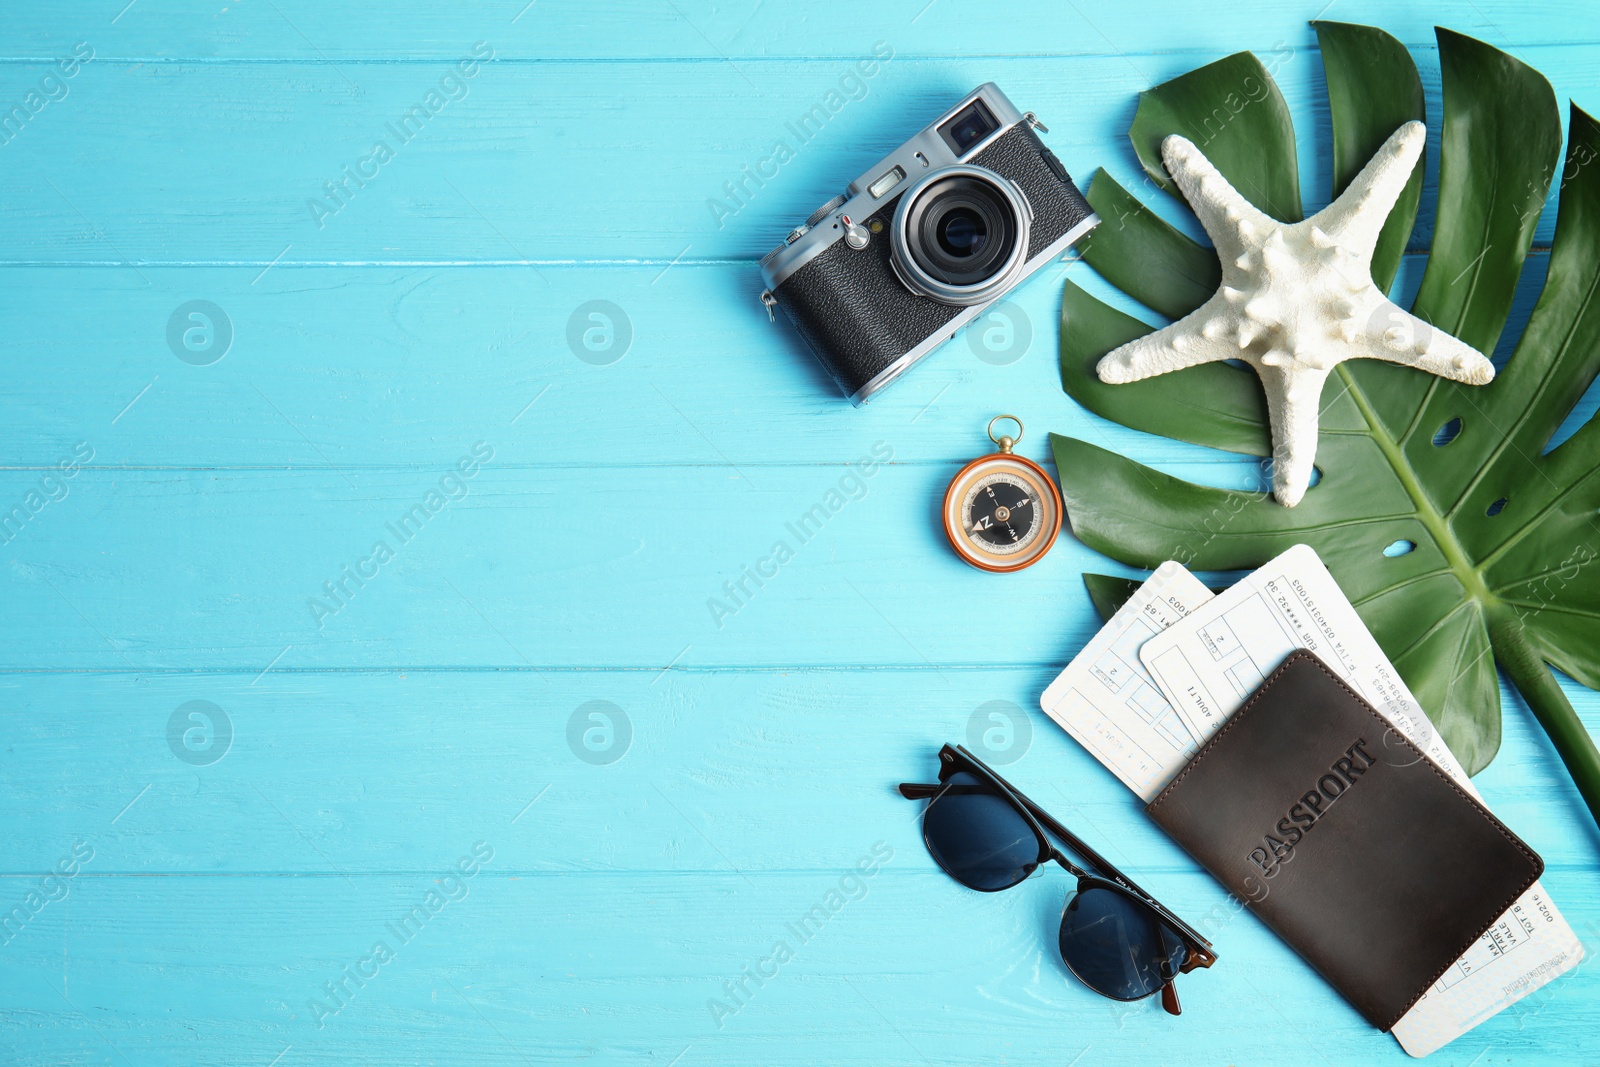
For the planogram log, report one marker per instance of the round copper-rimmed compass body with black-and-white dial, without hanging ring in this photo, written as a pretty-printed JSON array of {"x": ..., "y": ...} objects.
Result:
[{"x": 1002, "y": 513}]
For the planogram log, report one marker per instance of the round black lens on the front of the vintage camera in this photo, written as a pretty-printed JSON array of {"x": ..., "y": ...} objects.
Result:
[{"x": 962, "y": 231}]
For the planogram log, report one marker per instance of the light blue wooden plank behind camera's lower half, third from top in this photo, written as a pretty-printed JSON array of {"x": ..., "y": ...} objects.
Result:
[{"x": 398, "y": 369}]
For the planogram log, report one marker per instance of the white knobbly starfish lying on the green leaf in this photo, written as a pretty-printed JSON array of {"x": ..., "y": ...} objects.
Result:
[{"x": 1297, "y": 302}]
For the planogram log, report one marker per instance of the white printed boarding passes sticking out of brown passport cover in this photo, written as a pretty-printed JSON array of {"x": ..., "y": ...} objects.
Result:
[{"x": 1175, "y": 663}]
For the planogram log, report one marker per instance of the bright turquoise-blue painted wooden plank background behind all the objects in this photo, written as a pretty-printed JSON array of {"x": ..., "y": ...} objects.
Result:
[{"x": 236, "y": 861}]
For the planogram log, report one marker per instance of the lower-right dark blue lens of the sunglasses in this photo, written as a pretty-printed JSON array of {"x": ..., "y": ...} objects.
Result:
[{"x": 1118, "y": 946}]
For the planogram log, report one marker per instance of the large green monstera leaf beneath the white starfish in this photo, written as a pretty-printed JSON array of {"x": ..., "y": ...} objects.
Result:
[{"x": 1458, "y": 533}]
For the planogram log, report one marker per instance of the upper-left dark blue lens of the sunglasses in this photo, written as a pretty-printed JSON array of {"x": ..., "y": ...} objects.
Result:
[{"x": 978, "y": 836}]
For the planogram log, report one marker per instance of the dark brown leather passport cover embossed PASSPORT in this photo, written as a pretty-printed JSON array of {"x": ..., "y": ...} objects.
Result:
[{"x": 1345, "y": 839}]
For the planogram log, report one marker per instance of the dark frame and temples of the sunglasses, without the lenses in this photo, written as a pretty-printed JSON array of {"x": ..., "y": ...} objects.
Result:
[{"x": 1105, "y": 876}]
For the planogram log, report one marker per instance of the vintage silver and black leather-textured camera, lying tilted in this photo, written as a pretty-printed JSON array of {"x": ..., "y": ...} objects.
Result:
[{"x": 926, "y": 241}]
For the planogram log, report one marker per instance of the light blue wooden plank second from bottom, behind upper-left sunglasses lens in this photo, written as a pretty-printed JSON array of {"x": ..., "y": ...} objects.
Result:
[{"x": 324, "y": 773}]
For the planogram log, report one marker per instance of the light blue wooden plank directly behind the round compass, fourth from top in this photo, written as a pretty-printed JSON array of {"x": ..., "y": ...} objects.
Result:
[{"x": 519, "y": 567}]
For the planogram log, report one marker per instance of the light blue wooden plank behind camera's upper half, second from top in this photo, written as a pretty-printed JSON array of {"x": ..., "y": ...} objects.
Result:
[{"x": 534, "y": 162}]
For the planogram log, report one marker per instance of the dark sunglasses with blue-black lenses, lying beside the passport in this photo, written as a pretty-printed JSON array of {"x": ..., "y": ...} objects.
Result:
[{"x": 1116, "y": 938}]
